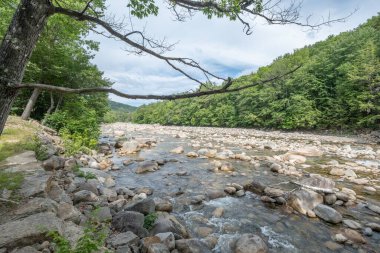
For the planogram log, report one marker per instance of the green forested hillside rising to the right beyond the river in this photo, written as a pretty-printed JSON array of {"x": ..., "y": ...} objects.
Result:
[{"x": 337, "y": 87}]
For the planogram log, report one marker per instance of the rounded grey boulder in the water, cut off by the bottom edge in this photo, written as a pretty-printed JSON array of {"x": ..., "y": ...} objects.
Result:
[{"x": 250, "y": 243}]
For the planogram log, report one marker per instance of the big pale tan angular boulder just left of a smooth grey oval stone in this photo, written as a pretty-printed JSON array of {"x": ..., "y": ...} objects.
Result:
[{"x": 304, "y": 200}]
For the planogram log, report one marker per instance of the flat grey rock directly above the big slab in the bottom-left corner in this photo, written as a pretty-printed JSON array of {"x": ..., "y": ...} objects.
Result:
[{"x": 37, "y": 205}]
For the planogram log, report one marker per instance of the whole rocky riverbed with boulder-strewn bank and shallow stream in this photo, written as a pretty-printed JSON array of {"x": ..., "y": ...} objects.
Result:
[{"x": 188, "y": 189}]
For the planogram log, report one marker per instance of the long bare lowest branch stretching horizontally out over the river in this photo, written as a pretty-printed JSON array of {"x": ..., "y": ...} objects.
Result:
[{"x": 223, "y": 89}]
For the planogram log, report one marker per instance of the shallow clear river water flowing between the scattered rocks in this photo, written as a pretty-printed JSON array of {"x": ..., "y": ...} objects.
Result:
[{"x": 283, "y": 231}]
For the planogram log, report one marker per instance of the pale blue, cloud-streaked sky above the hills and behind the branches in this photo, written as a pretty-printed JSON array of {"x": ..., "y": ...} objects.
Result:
[{"x": 219, "y": 45}]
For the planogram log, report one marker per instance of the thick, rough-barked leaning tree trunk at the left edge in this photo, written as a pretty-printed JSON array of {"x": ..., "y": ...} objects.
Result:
[{"x": 27, "y": 24}]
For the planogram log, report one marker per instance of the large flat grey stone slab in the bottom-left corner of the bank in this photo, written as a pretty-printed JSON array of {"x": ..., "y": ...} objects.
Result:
[{"x": 29, "y": 230}]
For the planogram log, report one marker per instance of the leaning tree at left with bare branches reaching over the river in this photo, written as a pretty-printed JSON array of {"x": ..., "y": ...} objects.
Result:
[{"x": 31, "y": 16}]
